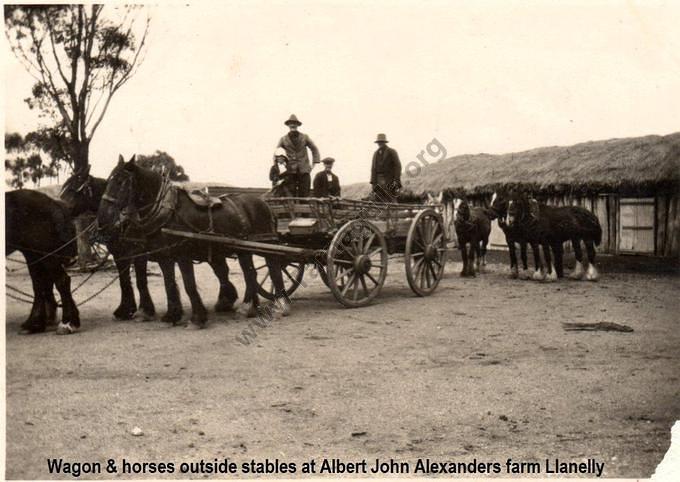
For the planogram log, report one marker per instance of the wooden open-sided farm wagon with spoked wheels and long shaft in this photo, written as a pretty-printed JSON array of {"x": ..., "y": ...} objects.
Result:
[{"x": 349, "y": 243}]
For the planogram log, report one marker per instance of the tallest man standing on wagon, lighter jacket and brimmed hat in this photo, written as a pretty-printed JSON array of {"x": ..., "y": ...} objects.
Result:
[{"x": 296, "y": 144}]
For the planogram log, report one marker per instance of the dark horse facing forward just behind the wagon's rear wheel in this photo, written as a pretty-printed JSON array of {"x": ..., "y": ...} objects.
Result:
[{"x": 473, "y": 226}]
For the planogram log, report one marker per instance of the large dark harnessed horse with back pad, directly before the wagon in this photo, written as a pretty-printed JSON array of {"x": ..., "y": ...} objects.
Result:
[{"x": 141, "y": 202}]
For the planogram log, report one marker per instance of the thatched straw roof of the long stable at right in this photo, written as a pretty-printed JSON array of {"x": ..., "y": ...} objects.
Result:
[{"x": 634, "y": 165}]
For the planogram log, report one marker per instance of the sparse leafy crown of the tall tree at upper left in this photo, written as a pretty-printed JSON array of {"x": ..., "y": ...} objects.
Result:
[{"x": 79, "y": 59}]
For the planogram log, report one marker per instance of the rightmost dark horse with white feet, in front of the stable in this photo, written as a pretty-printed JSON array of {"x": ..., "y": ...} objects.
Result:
[{"x": 551, "y": 226}]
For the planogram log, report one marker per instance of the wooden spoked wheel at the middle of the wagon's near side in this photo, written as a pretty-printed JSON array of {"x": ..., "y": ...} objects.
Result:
[{"x": 356, "y": 263}]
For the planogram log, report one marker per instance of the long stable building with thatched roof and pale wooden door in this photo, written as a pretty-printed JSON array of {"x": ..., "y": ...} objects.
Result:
[{"x": 632, "y": 185}]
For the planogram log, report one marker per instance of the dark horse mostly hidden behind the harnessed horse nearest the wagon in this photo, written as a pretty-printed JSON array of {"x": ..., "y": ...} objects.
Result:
[{"x": 82, "y": 193}]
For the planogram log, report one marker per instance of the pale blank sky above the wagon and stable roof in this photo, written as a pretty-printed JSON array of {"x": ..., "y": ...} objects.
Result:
[{"x": 219, "y": 80}]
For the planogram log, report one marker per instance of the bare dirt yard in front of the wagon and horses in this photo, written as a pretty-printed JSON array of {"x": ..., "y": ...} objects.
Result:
[{"x": 482, "y": 369}]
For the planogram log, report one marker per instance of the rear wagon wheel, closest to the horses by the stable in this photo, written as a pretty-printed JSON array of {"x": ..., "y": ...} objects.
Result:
[{"x": 425, "y": 254}]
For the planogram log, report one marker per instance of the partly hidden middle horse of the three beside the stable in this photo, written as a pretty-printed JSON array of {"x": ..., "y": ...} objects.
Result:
[{"x": 499, "y": 210}]
